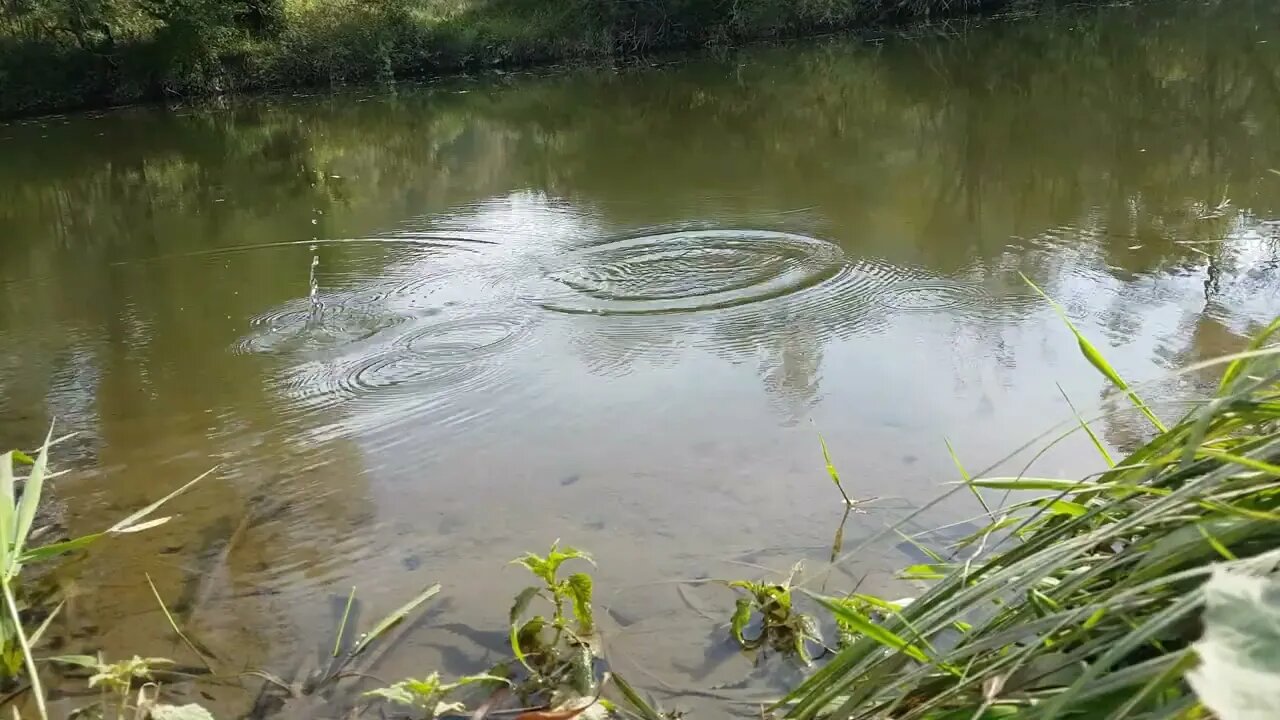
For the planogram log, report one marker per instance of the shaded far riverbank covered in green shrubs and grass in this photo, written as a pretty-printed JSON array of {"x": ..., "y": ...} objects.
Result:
[{"x": 77, "y": 56}]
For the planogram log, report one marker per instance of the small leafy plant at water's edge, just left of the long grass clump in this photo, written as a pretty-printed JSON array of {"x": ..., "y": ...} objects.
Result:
[{"x": 783, "y": 628}]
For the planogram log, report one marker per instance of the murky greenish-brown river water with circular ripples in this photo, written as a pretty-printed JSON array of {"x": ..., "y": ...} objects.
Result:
[{"x": 606, "y": 306}]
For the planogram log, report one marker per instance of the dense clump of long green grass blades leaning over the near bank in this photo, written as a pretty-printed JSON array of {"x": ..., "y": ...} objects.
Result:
[{"x": 1086, "y": 600}]
